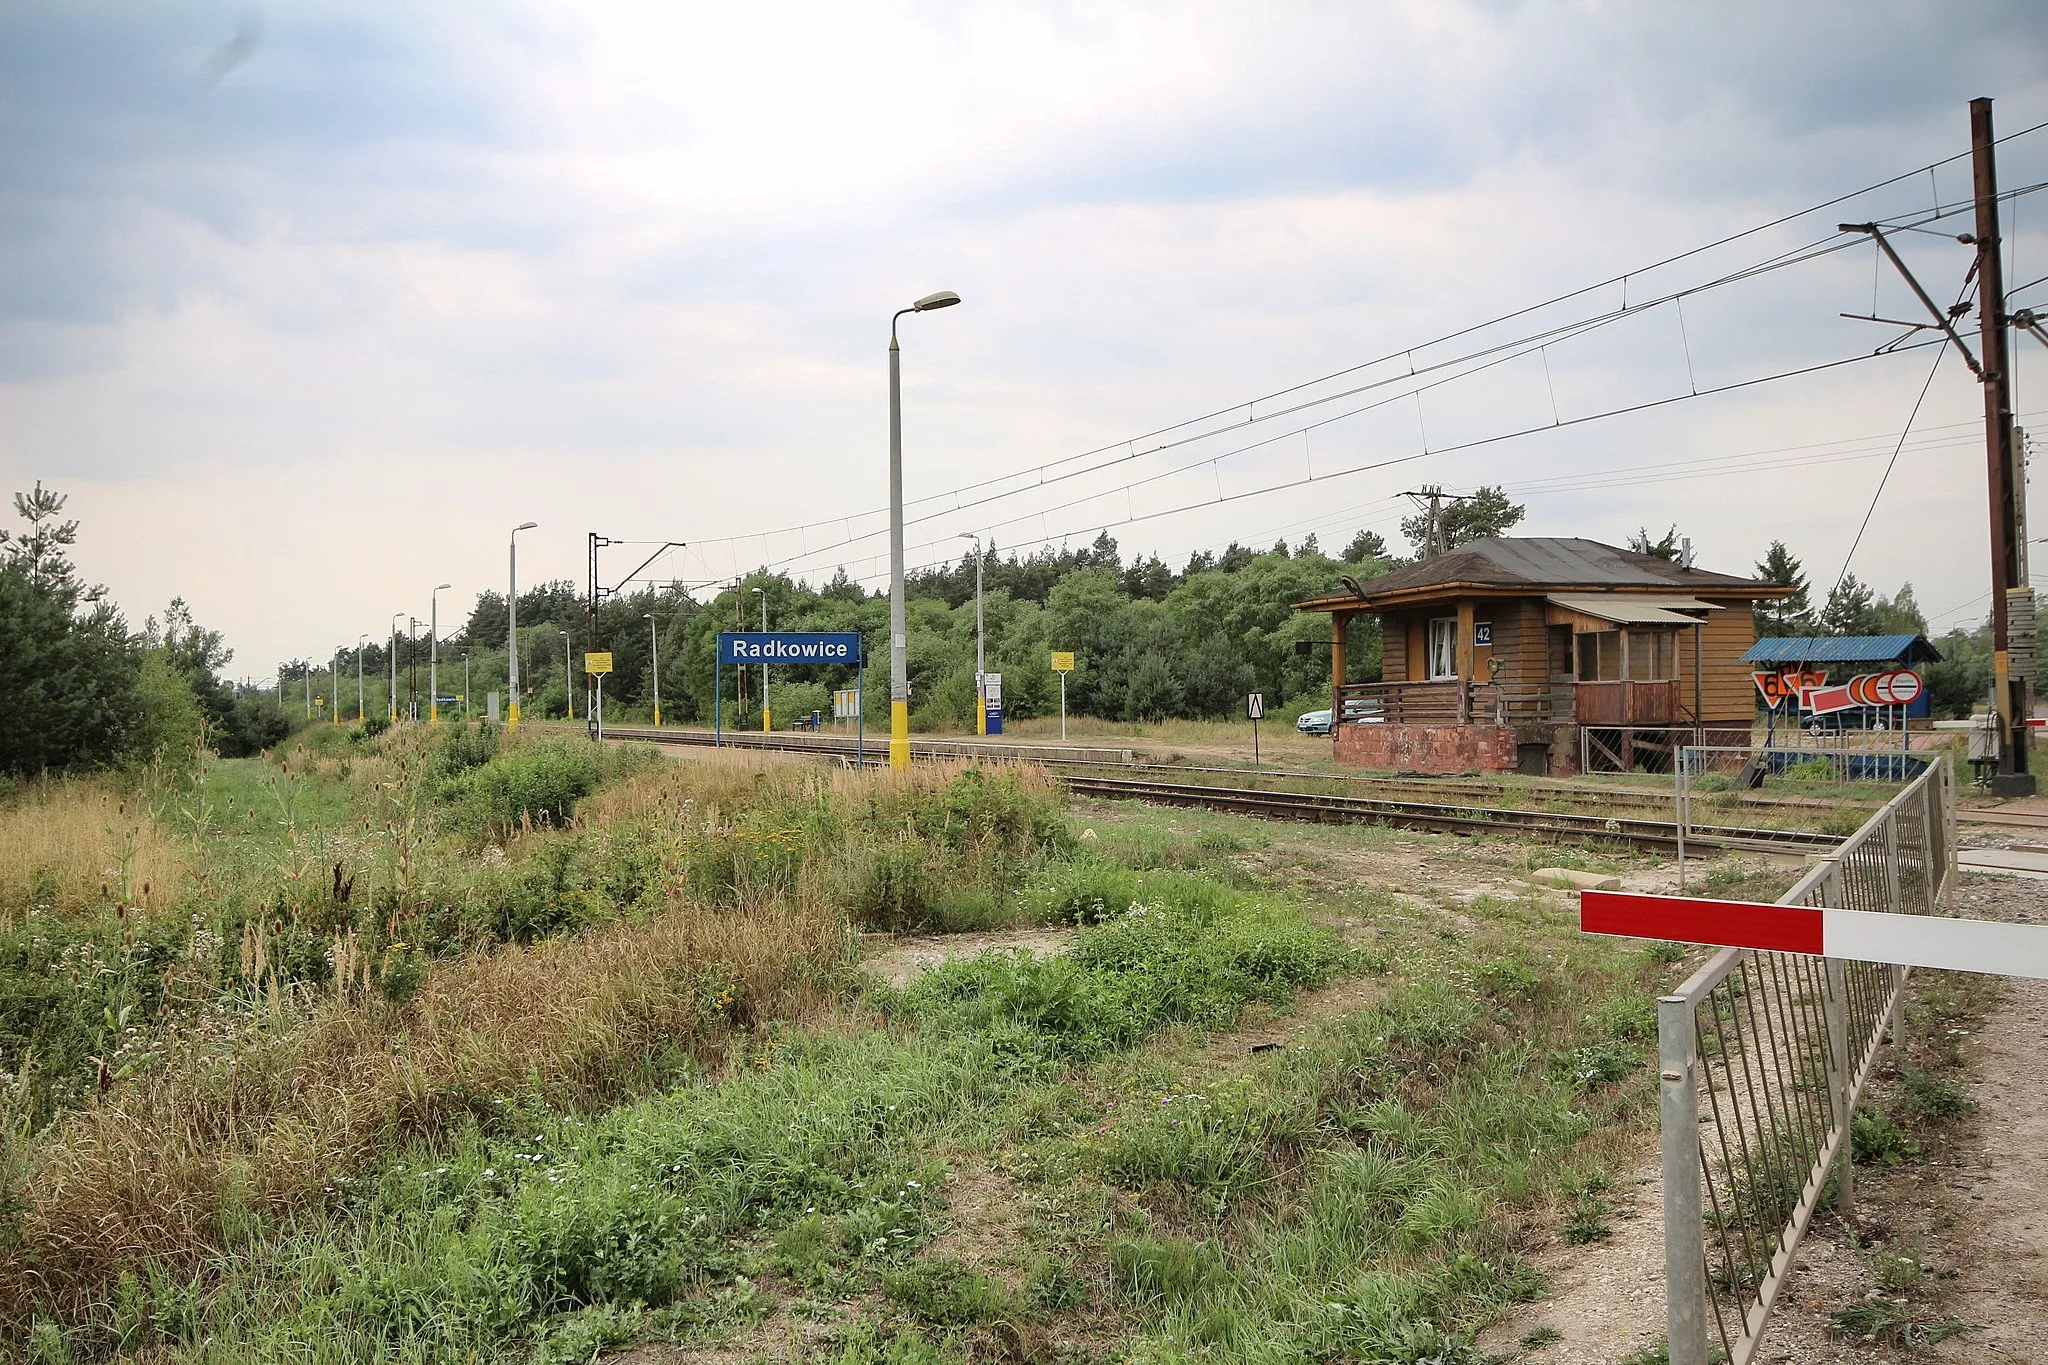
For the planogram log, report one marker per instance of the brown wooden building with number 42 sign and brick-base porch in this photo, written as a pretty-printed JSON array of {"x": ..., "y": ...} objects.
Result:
[{"x": 1535, "y": 654}]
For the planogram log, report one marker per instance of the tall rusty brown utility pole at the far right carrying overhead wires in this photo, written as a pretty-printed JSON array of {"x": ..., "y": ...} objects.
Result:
[{"x": 2006, "y": 521}]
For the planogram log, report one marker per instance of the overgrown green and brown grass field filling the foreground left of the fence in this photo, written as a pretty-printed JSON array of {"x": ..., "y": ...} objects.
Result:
[{"x": 452, "y": 1069}]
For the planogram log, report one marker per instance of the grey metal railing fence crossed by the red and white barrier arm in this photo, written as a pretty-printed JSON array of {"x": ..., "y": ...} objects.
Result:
[{"x": 1762, "y": 1059}]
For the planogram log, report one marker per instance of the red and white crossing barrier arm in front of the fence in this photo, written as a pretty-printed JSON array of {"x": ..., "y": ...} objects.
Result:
[{"x": 1861, "y": 936}]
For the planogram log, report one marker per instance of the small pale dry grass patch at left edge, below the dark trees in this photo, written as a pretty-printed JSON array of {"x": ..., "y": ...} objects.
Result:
[{"x": 81, "y": 844}]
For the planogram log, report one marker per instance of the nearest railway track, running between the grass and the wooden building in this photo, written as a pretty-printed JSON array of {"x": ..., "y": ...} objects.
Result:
[{"x": 1314, "y": 807}]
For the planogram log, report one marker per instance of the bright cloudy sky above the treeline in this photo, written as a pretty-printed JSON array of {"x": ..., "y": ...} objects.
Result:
[{"x": 306, "y": 306}]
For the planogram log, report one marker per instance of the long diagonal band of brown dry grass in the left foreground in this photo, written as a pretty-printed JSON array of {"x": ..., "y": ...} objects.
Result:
[{"x": 171, "y": 1168}]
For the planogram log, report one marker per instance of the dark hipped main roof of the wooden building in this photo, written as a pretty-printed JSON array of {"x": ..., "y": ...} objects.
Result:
[{"x": 1555, "y": 564}]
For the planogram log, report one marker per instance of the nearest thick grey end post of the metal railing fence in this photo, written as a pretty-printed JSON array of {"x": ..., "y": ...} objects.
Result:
[{"x": 1678, "y": 1100}]
